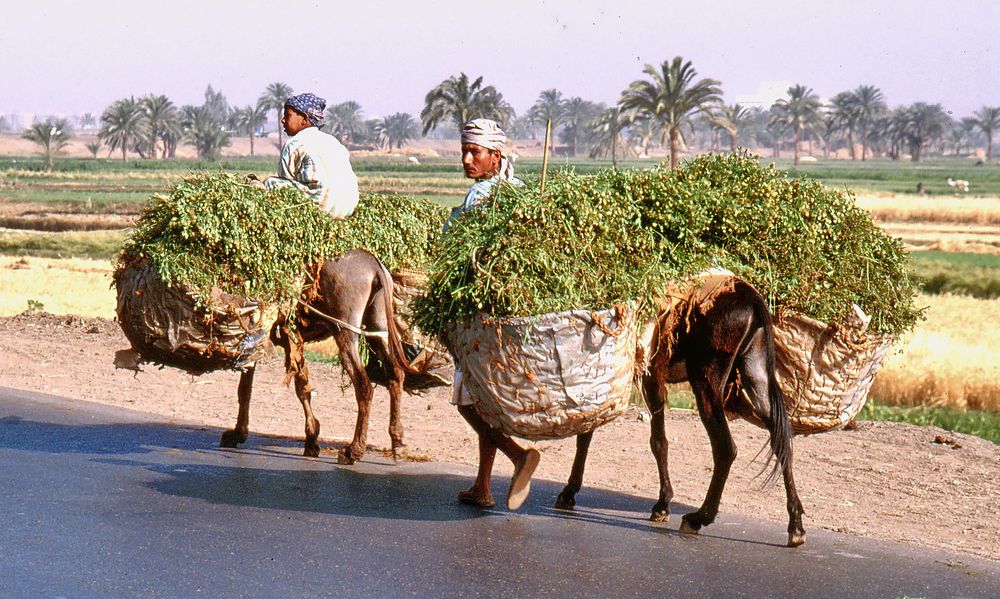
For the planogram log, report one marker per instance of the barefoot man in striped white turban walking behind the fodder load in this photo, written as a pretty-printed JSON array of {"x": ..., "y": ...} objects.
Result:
[{"x": 486, "y": 159}]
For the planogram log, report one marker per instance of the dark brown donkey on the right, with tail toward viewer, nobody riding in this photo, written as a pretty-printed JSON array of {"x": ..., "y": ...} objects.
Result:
[{"x": 719, "y": 337}]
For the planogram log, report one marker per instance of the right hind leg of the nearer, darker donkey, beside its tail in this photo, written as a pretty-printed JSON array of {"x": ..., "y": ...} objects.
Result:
[{"x": 753, "y": 371}]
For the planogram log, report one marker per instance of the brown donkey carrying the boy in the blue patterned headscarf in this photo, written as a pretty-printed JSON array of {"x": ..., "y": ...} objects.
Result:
[{"x": 354, "y": 293}]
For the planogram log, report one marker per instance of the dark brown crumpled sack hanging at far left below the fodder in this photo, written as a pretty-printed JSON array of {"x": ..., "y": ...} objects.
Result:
[{"x": 164, "y": 327}]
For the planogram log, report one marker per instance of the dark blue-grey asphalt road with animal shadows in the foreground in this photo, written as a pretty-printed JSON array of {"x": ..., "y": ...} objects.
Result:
[{"x": 102, "y": 502}]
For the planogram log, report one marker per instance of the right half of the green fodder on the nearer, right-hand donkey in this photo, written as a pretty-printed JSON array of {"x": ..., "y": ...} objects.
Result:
[{"x": 806, "y": 247}]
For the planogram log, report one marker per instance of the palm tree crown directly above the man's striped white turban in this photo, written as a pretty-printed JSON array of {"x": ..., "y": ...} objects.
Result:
[{"x": 458, "y": 100}]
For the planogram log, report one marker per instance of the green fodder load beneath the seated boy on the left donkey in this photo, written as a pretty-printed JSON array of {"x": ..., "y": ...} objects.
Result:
[{"x": 217, "y": 231}]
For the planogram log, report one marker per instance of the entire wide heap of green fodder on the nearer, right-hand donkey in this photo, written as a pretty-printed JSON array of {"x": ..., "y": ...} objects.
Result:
[{"x": 622, "y": 236}]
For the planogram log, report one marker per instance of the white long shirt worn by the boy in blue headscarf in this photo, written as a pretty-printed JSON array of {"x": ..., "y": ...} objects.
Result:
[{"x": 320, "y": 166}]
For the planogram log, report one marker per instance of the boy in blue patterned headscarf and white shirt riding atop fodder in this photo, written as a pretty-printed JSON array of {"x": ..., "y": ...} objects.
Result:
[{"x": 314, "y": 162}]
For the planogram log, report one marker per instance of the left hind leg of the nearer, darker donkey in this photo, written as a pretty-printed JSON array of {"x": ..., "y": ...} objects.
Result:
[{"x": 708, "y": 382}]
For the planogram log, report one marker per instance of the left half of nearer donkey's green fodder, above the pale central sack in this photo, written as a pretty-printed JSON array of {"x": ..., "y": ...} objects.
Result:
[{"x": 580, "y": 245}]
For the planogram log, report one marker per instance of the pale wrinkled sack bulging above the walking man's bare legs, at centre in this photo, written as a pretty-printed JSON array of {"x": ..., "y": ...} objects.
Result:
[{"x": 549, "y": 376}]
